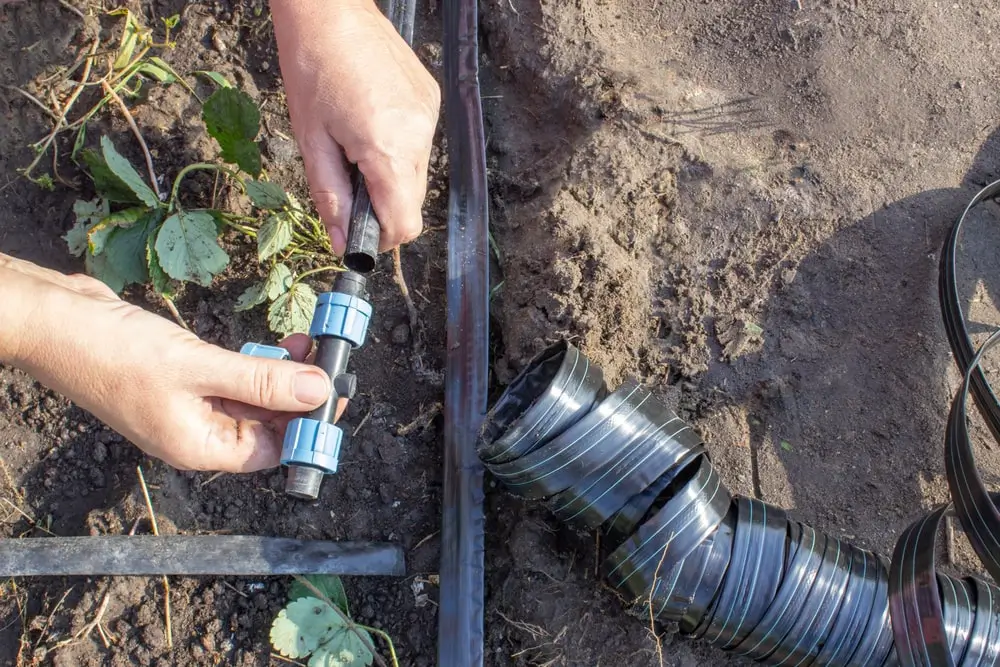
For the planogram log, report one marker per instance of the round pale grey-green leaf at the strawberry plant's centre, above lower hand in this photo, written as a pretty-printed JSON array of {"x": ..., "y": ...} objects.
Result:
[{"x": 188, "y": 248}]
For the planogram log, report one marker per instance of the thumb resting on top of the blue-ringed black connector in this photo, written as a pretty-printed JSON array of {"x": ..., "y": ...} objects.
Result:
[{"x": 272, "y": 384}]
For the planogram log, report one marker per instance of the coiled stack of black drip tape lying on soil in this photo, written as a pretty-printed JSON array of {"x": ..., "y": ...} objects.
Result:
[{"x": 735, "y": 572}]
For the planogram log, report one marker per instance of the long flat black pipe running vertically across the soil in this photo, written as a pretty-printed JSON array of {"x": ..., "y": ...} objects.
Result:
[{"x": 460, "y": 617}]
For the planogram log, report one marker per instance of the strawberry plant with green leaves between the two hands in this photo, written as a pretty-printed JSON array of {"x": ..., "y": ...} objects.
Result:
[{"x": 130, "y": 233}]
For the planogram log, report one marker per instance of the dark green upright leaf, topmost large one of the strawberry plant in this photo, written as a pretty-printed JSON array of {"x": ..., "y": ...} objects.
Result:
[{"x": 232, "y": 117}]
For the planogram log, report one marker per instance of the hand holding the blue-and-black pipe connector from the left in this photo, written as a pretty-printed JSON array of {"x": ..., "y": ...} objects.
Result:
[{"x": 192, "y": 404}]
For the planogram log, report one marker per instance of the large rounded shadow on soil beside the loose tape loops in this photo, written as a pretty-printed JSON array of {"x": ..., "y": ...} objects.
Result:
[{"x": 847, "y": 399}]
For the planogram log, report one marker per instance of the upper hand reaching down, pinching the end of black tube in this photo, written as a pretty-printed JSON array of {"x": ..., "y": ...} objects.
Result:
[{"x": 358, "y": 94}]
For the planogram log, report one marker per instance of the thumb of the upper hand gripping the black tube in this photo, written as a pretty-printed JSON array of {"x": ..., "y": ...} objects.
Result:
[{"x": 329, "y": 185}]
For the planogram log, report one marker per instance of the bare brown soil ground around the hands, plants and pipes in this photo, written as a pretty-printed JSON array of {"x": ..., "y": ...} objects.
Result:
[{"x": 666, "y": 178}]
